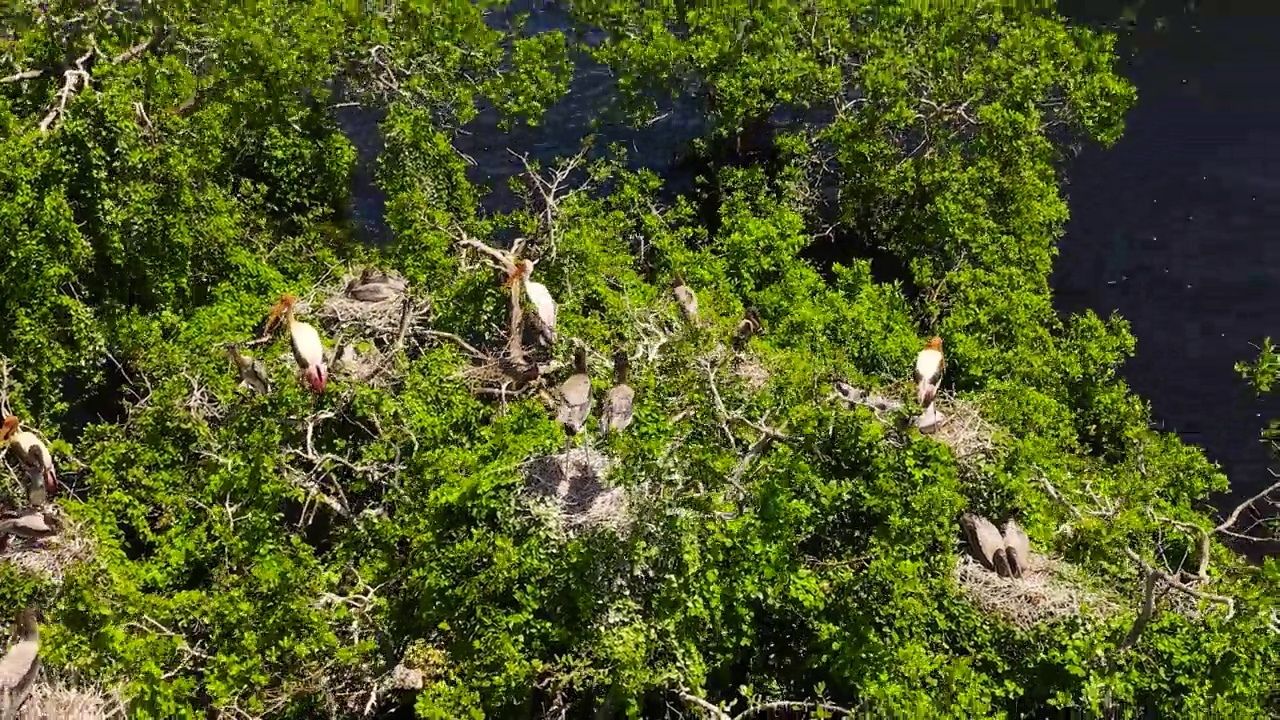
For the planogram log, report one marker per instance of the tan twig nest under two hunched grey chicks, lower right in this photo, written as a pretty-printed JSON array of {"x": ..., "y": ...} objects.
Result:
[{"x": 1050, "y": 590}]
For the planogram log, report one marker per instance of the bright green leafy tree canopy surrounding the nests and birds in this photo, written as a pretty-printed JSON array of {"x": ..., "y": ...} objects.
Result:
[{"x": 281, "y": 555}]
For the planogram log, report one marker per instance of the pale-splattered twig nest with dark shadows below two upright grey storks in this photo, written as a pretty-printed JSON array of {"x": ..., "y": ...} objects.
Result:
[{"x": 580, "y": 499}]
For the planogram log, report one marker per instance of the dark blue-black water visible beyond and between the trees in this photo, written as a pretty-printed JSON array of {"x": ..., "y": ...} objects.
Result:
[{"x": 1176, "y": 227}]
